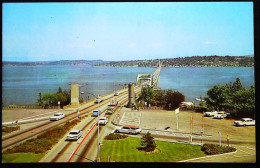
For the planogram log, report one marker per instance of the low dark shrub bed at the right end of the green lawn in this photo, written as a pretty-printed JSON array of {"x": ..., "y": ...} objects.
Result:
[{"x": 213, "y": 149}]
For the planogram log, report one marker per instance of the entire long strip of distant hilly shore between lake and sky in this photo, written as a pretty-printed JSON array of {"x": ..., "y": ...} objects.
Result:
[{"x": 194, "y": 61}]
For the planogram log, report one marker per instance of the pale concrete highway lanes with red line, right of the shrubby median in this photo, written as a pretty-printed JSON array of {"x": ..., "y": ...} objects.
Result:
[{"x": 85, "y": 148}]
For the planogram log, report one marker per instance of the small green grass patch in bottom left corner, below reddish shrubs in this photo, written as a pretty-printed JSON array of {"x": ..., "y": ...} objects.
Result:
[{"x": 21, "y": 157}]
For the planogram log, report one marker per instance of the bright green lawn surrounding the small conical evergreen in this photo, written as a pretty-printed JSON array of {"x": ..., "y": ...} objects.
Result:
[{"x": 125, "y": 150}]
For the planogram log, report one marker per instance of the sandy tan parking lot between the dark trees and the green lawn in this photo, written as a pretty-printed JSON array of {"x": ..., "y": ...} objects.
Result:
[{"x": 160, "y": 119}]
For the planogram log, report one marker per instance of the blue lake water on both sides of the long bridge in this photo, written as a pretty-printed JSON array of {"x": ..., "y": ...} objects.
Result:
[{"x": 21, "y": 84}]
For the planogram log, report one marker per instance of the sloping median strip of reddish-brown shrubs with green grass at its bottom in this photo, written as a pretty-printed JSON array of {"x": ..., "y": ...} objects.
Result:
[{"x": 38, "y": 146}]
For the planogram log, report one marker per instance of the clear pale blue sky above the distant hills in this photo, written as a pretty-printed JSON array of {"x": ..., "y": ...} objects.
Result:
[{"x": 125, "y": 31}]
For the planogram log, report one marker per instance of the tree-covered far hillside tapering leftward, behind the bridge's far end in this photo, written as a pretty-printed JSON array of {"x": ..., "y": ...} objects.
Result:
[{"x": 194, "y": 61}]
